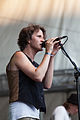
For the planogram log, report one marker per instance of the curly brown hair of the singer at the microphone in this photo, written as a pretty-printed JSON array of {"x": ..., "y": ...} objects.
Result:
[{"x": 26, "y": 34}]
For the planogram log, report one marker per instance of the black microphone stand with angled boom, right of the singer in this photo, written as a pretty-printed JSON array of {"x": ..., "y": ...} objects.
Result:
[{"x": 76, "y": 75}]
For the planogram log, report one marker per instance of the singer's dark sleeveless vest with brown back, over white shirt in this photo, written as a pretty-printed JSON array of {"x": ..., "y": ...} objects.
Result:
[{"x": 24, "y": 89}]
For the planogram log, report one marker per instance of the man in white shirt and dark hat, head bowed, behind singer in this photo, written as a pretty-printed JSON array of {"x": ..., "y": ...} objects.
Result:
[{"x": 63, "y": 112}]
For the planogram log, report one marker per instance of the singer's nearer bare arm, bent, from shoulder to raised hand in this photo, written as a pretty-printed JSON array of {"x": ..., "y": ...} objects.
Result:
[{"x": 37, "y": 74}]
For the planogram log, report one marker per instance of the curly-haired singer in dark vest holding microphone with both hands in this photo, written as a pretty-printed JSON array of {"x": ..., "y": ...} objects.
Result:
[{"x": 26, "y": 78}]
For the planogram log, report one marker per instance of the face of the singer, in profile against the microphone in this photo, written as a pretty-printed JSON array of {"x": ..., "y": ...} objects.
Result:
[{"x": 37, "y": 39}]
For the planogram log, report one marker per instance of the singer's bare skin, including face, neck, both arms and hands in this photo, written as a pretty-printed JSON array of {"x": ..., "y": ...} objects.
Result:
[{"x": 44, "y": 72}]
